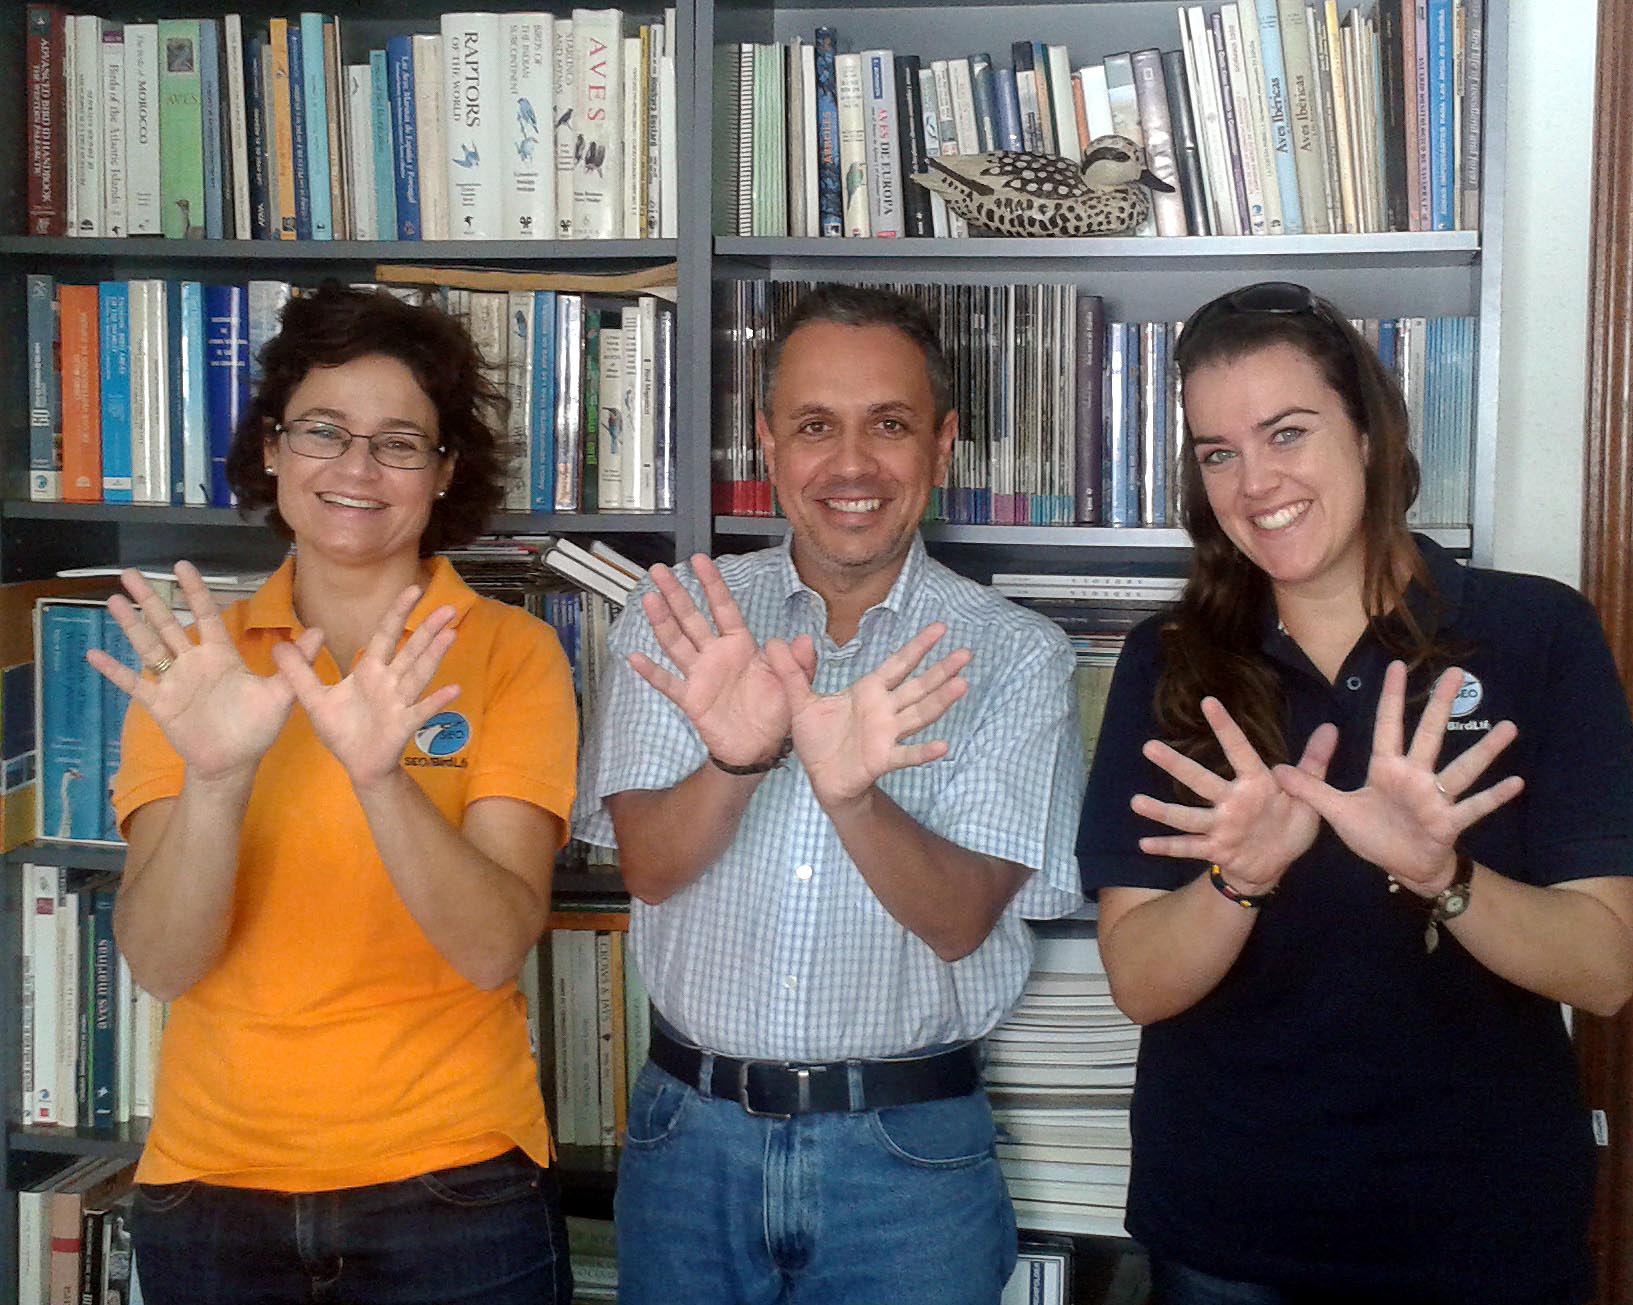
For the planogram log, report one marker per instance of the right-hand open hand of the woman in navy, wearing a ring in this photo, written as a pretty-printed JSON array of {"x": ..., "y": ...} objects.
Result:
[{"x": 1407, "y": 817}]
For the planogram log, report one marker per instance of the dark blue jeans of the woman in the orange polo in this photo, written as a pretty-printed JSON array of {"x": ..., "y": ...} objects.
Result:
[{"x": 489, "y": 1232}]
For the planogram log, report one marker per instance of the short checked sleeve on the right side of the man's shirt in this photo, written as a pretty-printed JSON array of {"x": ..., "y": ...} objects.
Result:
[{"x": 1017, "y": 780}]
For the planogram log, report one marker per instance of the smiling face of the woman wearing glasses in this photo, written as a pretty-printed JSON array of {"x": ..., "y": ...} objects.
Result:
[{"x": 350, "y": 509}]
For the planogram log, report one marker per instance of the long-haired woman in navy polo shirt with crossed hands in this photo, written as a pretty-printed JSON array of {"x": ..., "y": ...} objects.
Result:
[{"x": 1355, "y": 1079}]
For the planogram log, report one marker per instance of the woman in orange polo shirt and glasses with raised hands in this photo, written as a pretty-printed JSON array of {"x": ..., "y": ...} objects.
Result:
[{"x": 342, "y": 801}]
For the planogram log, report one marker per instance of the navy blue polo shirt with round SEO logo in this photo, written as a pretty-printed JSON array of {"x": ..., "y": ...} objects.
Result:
[{"x": 1348, "y": 1111}]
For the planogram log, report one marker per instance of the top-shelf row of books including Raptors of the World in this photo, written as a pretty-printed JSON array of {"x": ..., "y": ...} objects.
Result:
[{"x": 496, "y": 127}]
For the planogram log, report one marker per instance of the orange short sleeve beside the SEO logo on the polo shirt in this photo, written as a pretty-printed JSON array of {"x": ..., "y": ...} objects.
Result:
[{"x": 530, "y": 728}]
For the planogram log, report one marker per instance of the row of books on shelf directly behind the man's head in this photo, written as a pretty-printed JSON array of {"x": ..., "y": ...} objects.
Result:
[{"x": 1069, "y": 417}]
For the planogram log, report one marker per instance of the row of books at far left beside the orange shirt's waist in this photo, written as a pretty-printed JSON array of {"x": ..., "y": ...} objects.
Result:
[{"x": 91, "y": 1036}]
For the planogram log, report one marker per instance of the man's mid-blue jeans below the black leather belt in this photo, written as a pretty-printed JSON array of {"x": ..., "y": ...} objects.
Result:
[{"x": 902, "y": 1206}]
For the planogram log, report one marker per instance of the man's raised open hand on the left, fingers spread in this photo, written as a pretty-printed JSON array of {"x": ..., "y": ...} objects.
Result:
[{"x": 726, "y": 685}]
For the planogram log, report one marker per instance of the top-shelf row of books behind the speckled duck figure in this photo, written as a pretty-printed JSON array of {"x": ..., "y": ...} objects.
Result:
[{"x": 1273, "y": 118}]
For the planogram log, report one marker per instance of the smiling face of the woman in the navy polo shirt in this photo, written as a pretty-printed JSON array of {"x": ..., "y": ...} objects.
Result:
[{"x": 1284, "y": 468}]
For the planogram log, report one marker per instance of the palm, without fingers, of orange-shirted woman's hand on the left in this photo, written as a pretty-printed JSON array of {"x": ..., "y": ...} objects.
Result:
[{"x": 216, "y": 713}]
